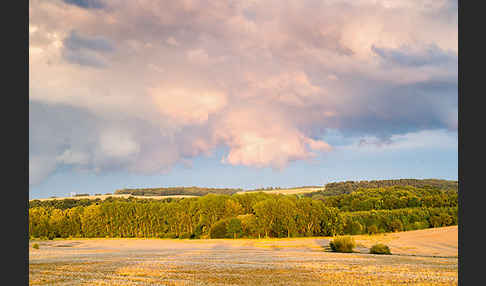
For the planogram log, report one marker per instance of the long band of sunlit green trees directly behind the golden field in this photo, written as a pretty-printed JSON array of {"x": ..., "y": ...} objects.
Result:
[{"x": 254, "y": 215}]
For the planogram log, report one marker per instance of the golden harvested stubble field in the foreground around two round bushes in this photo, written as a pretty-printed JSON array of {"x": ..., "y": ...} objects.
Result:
[{"x": 423, "y": 257}]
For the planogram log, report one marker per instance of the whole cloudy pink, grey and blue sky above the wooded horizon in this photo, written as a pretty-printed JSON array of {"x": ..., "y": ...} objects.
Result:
[{"x": 243, "y": 94}]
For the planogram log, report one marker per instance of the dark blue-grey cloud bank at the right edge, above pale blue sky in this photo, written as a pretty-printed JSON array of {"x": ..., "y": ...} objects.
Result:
[{"x": 399, "y": 109}]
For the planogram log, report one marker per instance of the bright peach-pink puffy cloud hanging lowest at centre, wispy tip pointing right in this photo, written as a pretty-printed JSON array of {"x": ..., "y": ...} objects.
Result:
[{"x": 261, "y": 137}]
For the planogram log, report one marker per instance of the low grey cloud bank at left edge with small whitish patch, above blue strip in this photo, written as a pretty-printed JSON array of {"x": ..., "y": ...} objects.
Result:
[{"x": 63, "y": 137}]
